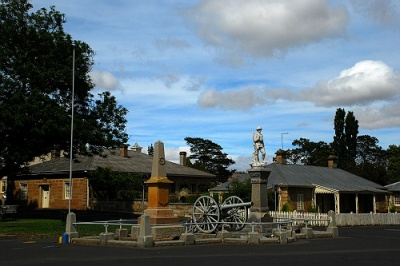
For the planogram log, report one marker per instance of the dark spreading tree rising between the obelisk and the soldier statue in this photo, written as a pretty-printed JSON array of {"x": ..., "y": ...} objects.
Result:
[{"x": 209, "y": 157}]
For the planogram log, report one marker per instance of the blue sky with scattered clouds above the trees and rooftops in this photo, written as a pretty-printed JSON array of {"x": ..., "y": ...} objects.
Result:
[{"x": 218, "y": 69}]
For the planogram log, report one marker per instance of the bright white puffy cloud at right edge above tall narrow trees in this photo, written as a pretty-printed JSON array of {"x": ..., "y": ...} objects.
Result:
[{"x": 364, "y": 83}]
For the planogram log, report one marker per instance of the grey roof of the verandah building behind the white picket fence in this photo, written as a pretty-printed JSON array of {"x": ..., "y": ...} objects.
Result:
[{"x": 324, "y": 179}]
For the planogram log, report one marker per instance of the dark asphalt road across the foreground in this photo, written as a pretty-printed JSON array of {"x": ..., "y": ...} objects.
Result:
[{"x": 376, "y": 245}]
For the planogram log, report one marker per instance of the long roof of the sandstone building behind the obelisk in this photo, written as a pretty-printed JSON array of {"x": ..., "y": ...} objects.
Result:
[{"x": 135, "y": 162}]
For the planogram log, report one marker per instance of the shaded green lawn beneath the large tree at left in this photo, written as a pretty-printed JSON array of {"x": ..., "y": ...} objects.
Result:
[{"x": 41, "y": 228}]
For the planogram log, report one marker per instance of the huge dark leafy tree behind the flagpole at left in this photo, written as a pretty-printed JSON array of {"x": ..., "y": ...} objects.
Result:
[{"x": 36, "y": 58}]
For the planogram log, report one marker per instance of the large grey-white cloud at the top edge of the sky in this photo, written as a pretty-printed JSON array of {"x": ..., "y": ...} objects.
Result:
[{"x": 265, "y": 28}]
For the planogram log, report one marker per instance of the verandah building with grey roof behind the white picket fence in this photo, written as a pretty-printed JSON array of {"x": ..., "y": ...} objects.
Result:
[{"x": 314, "y": 188}]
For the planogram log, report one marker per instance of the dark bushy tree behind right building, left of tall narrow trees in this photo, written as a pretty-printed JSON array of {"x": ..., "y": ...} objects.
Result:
[{"x": 309, "y": 153}]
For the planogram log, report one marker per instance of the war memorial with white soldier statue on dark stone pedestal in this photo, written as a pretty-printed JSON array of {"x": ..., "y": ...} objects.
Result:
[{"x": 259, "y": 173}]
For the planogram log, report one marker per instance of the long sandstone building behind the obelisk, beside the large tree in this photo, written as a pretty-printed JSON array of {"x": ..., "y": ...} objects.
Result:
[{"x": 47, "y": 184}]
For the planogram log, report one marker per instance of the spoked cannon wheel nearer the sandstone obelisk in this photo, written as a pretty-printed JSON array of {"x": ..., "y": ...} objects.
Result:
[{"x": 206, "y": 214}]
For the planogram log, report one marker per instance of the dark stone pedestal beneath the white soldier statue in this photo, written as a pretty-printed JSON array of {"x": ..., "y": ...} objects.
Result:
[{"x": 259, "y": 196}]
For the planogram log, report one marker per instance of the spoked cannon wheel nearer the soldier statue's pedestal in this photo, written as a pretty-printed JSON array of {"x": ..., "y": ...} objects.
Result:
[{"x": 236, "y": 216}]
